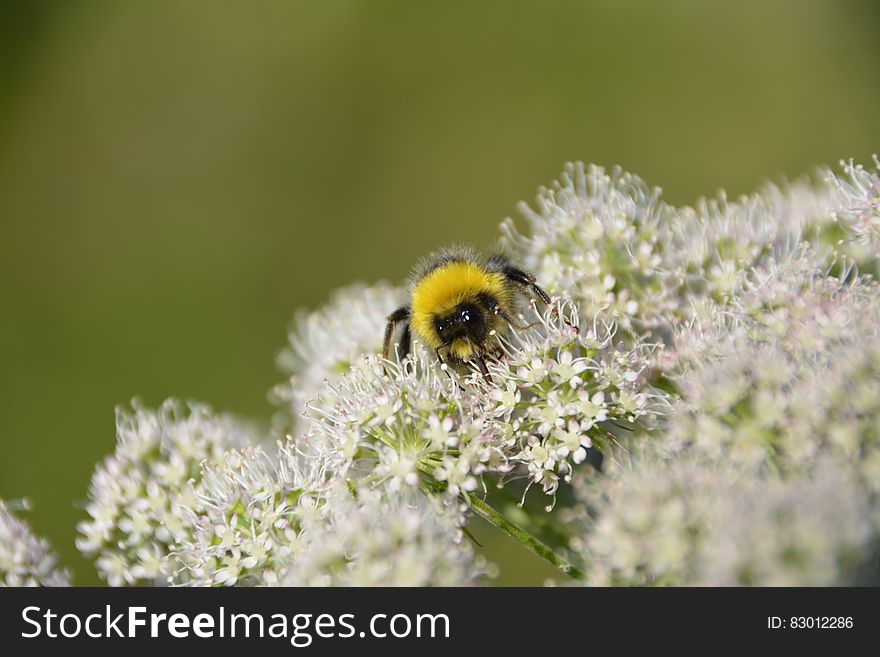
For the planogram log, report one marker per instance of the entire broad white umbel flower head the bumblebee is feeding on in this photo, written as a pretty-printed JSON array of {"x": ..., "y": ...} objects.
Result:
[{"x": 701, "y": 396}]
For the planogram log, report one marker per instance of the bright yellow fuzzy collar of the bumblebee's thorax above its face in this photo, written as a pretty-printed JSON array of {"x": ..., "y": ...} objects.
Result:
[{"x": 445, "y": 288}]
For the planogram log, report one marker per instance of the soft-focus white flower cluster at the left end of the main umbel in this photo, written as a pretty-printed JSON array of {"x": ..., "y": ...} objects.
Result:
[{"x": 139, "y": 495}]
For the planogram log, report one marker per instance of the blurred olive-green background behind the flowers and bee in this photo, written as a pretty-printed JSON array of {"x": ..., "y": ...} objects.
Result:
[{"x": 177, "y": 177}]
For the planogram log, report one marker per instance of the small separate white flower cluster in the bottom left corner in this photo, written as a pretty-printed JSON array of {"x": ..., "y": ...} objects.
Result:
[{"x": 25, "y": 559}]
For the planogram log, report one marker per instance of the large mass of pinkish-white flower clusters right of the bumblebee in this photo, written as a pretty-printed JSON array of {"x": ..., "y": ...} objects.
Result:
[{"x": 768, "y": 467}]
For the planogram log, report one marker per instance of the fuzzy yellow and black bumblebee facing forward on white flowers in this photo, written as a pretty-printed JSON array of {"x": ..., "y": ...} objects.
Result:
[{"x": 457, "y": 300}]
